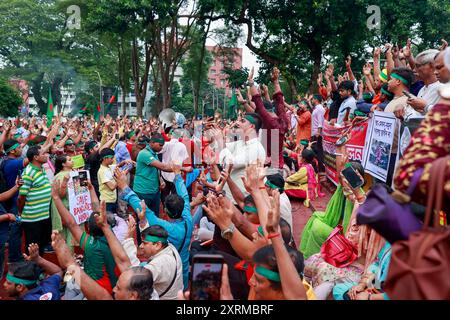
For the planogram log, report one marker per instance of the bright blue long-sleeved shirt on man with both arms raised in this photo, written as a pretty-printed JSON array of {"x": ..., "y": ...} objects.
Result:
[{"x": 178, "y": 230}]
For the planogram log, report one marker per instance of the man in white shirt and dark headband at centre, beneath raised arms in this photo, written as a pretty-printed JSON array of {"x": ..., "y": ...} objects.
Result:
[{"x": 245, "y": 151}]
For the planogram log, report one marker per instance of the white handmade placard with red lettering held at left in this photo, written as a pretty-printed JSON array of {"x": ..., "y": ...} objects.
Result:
[{"x": 79, "y": 198}]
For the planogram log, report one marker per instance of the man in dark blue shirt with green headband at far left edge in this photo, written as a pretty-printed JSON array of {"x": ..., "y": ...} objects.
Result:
[{"x": 12, "y": 167}]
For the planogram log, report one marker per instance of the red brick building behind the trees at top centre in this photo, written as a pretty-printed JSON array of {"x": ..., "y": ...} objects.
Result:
[{"x": 223, "y": 57}]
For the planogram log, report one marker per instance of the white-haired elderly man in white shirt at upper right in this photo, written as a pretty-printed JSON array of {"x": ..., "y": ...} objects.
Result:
[{"x": 428, "y": 96}]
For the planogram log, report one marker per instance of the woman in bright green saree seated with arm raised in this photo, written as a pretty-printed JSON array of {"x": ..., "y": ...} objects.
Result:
[{"x": 338, "y": 211}]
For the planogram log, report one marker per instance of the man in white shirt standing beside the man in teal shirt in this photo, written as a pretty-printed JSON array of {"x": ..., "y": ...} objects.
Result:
[{"x": 175, "y": 152}]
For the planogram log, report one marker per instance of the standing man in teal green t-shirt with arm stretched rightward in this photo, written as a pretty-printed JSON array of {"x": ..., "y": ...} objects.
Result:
[{"x": 147, "y": 181}]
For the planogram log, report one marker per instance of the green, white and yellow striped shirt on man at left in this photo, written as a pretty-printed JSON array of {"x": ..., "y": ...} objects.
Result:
[{"x": 37, "y": 190}]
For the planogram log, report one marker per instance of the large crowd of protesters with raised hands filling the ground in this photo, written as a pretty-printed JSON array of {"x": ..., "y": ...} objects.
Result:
[{"x": 163, "y": 192}]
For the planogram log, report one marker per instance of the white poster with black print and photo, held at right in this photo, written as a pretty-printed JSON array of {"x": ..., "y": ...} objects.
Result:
[{"x": 377, "y": 151}]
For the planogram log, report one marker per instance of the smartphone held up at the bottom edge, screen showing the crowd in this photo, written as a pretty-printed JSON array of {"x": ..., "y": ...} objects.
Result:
[{"x": 206, "y": 276}]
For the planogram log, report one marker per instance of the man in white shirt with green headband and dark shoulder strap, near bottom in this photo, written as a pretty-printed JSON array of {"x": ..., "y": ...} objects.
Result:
[{"x": 163, "y": 260}]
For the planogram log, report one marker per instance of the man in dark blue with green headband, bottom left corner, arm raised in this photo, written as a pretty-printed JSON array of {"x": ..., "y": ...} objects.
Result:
[{"x": 22, "y": 278}]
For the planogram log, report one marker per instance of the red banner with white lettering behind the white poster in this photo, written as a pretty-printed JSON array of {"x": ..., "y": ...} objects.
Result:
[{"x": 355, "y": 145}]
